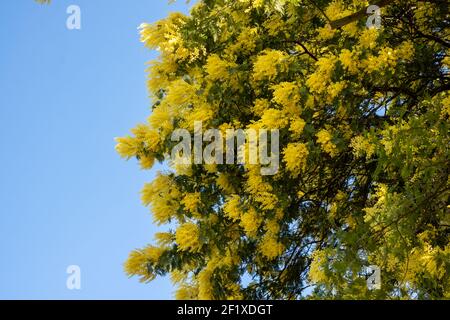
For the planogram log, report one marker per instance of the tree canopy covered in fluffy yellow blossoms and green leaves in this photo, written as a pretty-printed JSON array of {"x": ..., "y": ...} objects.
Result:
[{"x": 363, "y": 116}]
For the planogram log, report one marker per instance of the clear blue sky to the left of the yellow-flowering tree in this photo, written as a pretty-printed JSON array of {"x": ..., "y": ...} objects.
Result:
[{"x": 65, "y": 195}]
